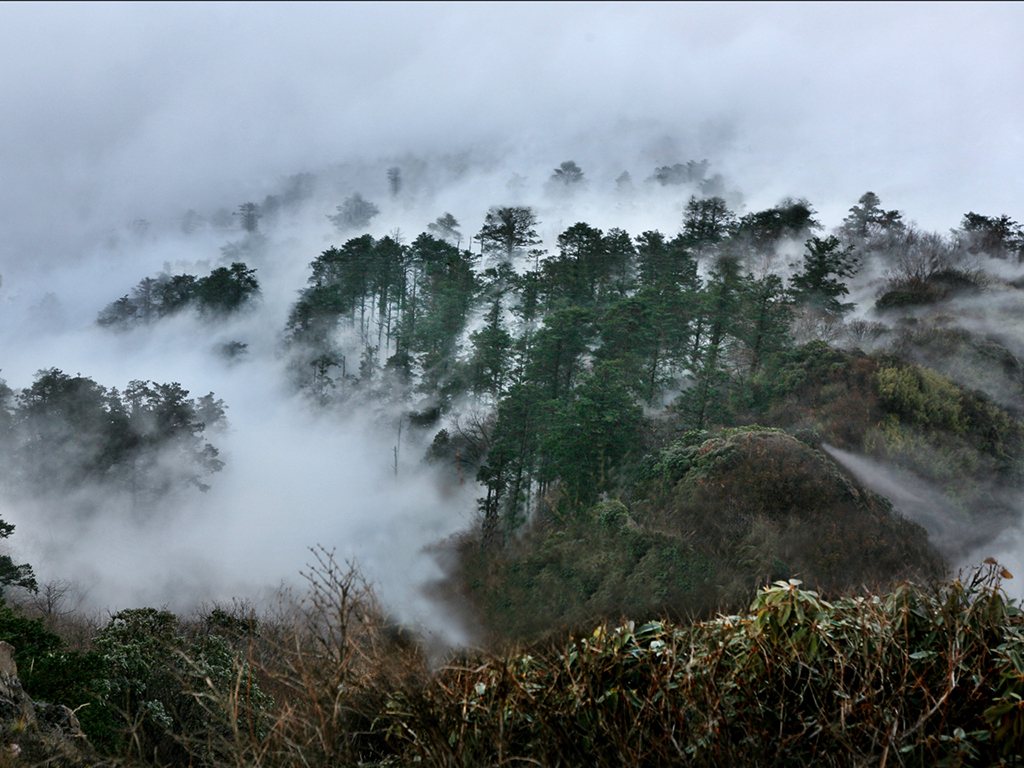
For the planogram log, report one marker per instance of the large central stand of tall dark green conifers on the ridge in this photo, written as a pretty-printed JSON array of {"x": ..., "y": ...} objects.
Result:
[{"x": 572, "y": 347}]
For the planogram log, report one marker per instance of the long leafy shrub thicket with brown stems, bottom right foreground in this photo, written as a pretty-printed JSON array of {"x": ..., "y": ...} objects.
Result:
[{"x": 918, "y": 676}]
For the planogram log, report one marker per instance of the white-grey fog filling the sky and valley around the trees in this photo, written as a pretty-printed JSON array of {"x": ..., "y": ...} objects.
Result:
[{"x": 116, "y": 113}]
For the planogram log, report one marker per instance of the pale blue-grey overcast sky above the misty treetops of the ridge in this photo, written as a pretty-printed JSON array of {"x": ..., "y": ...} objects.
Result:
[{"x": 113, "y": 111}]
